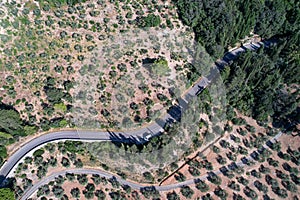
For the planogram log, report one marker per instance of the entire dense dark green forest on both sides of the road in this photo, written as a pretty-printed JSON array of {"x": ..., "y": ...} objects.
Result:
[{"x": 260, "y": 84}]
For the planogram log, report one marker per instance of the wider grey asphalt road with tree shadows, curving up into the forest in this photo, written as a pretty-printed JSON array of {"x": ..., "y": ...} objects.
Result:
[{"x": 154, "y": 128}]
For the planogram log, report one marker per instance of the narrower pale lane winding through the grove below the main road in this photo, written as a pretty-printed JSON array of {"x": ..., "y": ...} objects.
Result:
[{"x": 28, "y": 193}]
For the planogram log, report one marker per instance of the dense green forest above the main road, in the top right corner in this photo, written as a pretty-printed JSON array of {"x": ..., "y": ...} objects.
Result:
[{"x": 220, "y": 23}]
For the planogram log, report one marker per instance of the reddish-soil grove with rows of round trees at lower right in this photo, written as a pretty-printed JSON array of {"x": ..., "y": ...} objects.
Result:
[{"x": 244, "y": 164}]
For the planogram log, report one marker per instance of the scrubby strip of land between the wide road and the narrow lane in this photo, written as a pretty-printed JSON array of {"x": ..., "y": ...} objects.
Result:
[{"x": 148, "y": 163}]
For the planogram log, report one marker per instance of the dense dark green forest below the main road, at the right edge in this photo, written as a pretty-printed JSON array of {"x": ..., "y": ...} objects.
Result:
[{"x": 263, "y": 83}]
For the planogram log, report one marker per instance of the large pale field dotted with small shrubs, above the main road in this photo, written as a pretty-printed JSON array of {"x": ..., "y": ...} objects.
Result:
[{"x": 96, "y": 64}]
